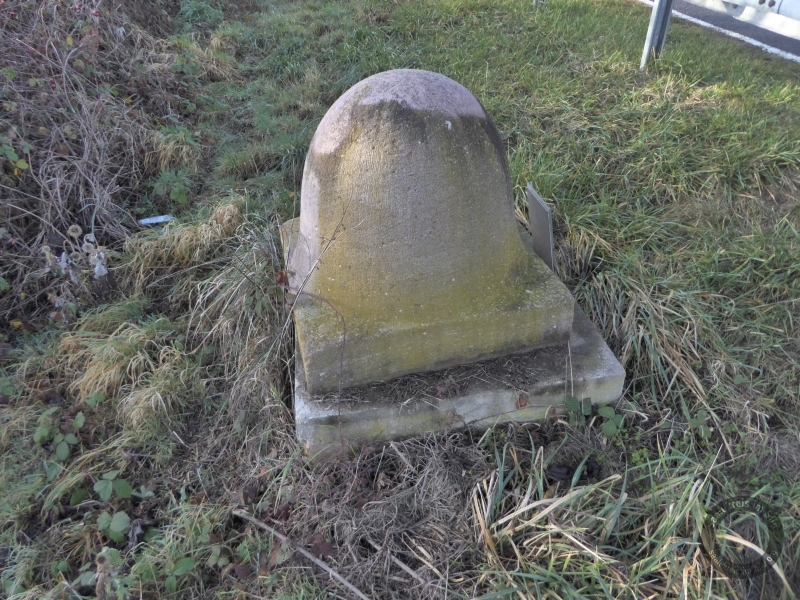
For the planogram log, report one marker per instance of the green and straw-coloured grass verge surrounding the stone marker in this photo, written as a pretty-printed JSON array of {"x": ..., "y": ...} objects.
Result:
[{"x": 676, "y": 199}]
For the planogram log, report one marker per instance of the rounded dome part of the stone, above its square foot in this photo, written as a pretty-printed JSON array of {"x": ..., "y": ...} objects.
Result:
[{"x": 405, "y": 171}]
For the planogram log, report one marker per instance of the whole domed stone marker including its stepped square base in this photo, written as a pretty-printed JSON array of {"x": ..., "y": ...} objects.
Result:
[{"x": 406, "y": 264}]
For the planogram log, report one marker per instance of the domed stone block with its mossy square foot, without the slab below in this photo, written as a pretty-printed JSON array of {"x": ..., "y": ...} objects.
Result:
[{"x": 407, "y": 240}]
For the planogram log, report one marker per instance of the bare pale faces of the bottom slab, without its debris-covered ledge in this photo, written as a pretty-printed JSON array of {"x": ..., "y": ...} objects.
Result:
[{"x": 331, "y": 430}]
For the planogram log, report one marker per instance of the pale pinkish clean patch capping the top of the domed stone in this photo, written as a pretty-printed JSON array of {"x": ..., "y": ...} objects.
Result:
[{"x": 413, "y": 89}]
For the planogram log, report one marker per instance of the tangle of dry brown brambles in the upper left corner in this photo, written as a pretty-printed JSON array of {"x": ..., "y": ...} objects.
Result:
[{"x": 80, "y": 114}]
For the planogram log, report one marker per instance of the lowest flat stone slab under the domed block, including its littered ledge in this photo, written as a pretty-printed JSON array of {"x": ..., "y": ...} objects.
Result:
[{"x": 519, "y": 388}]
